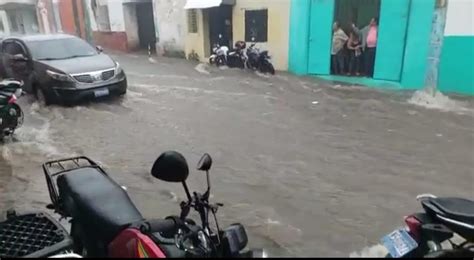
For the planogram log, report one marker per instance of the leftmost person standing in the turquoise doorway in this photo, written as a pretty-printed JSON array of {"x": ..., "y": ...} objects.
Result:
[{"x": 339, "y": 39}]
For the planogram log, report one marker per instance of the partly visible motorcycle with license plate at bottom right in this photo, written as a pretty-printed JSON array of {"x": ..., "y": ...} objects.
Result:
[{"x": 427, "y": 233}]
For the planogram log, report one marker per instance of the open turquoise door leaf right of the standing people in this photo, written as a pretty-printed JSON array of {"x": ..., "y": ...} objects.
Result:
[{"x": 391, "y": 39}]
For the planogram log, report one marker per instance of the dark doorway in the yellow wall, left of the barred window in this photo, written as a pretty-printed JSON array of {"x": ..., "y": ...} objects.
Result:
[{"x": 220, "y": 26}]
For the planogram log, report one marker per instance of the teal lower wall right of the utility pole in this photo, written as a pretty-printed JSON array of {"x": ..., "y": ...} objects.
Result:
[{"x": 456, "y": 69}]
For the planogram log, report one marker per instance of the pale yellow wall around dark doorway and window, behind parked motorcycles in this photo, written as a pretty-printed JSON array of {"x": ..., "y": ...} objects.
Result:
[{"x": 278, "y": 30}]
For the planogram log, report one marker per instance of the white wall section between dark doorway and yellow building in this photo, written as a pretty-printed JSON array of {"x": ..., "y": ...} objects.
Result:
[{"x": 170, "y": 19}]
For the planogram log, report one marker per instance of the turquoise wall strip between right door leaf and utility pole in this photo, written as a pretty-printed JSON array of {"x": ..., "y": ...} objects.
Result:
[{"x": 417, "y": 44}]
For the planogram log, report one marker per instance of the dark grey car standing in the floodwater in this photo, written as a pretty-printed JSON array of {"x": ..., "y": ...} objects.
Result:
[{"x": 61, "y": 68}]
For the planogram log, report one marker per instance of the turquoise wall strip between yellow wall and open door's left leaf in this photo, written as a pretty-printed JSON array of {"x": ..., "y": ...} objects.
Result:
[{"x": 299, "y": 35}]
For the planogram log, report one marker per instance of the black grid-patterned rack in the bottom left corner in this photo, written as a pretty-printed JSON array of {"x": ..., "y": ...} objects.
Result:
[{"x": 32, "y": 235}]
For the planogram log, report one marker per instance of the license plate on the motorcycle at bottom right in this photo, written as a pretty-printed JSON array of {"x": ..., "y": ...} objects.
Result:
[{"x": 399, "y": 243}]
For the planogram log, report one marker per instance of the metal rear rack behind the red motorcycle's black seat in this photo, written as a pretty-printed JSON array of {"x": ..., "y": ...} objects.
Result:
[{"x": 62, "y": 166}]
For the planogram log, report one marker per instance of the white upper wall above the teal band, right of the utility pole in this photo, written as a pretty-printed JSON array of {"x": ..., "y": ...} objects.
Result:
[{"x": 460, "y": 18}]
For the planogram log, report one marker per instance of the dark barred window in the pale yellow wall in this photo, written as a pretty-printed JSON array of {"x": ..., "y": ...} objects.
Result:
[{"x": 256, "y": 22}]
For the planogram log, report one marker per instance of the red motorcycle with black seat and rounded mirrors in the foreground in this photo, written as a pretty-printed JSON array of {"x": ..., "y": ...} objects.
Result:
[{"x": 105, "y": 222}]
